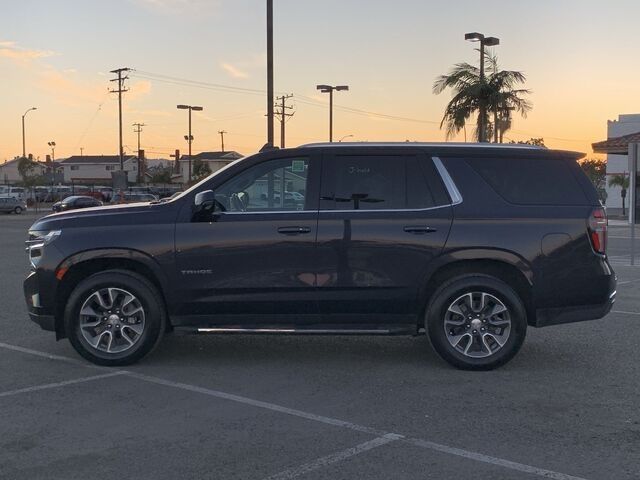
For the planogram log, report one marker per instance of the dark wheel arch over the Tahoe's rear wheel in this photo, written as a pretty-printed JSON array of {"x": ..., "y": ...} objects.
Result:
[{"x": 504, "y": 265}]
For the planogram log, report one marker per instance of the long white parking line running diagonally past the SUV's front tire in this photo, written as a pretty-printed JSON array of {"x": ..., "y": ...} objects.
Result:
[{"x": 319, "y": 418}]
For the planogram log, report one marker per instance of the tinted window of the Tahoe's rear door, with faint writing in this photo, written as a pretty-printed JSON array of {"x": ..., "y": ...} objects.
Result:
[{"x": 381, "y": 182}]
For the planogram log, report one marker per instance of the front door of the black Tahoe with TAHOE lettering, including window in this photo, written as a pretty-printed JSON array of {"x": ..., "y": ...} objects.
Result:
[{"x": 252, "y": 261}]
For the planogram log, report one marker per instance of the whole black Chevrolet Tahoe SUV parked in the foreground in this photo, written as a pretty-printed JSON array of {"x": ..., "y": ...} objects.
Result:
[{"x": 468, "y": 244}]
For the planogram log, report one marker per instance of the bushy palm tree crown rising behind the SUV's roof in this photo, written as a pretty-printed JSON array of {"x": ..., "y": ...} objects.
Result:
[{"x": 496, "y": 91}]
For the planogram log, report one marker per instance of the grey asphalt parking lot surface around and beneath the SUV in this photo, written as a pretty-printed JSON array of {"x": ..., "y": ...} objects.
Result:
[{"x": 251, "y": 407}]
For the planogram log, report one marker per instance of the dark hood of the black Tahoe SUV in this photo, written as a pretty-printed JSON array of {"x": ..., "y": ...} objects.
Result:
[{"x": 128, "y": 214}]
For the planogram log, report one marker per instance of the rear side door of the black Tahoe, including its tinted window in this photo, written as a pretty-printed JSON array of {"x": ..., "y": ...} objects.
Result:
[{"x": 384, "y": 215}]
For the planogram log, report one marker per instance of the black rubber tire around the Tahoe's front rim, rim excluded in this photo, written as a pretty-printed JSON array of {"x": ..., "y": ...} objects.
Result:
[{"x": 151, "y": 301}]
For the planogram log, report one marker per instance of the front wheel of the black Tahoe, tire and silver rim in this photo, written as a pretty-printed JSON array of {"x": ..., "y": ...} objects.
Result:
[{"x": 114, "y": 317}]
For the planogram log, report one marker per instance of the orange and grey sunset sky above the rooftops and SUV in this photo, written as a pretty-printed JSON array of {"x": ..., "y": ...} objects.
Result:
[{"x": 579, "y": 57}]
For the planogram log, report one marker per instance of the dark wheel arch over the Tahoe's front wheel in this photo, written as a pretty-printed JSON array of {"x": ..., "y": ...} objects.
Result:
[{"x": 81, "y": 265}]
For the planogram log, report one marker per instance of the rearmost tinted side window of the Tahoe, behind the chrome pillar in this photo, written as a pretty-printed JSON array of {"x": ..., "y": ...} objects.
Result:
[{"x": 531, "y": 181}]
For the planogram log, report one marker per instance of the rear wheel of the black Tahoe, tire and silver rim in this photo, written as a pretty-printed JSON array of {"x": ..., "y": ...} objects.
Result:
[{"x": 476, "y": 322}]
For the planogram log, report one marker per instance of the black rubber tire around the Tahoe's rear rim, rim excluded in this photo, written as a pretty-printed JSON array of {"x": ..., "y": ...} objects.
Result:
[{"x": 456, "y": 288}]
